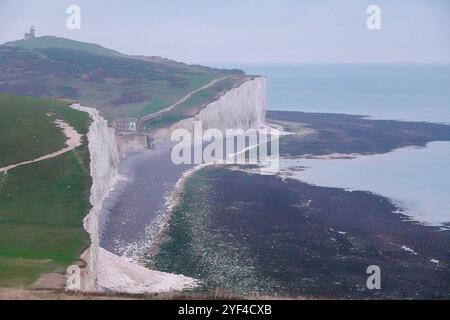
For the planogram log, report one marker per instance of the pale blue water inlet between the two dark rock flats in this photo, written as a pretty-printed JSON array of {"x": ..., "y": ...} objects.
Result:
[{"x": 417, "y": 180}]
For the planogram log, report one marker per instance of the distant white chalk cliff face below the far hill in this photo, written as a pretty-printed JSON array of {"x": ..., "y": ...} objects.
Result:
[{"x": 243, "y": 107}]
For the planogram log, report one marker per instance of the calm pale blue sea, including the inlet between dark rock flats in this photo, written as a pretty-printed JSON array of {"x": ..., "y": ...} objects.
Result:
[{"x": 416, "y": 179}]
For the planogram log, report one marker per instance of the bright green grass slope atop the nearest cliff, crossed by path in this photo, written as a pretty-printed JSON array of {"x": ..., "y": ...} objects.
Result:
[{"x": 42, "y": 205}]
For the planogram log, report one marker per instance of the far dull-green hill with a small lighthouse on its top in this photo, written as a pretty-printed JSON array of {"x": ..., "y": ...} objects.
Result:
[{"x": 116, "y": 84}]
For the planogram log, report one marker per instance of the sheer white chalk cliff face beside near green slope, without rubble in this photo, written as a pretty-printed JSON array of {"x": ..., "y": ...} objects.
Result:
[{"x": 105, "y": 159}]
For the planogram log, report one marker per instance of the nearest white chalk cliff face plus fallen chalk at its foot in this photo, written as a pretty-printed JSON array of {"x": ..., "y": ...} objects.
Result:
[{"x": 105, "y": 271}]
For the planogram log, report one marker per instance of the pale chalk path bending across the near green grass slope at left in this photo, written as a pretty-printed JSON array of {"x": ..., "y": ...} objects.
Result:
[{"x": 73, "y": 141}]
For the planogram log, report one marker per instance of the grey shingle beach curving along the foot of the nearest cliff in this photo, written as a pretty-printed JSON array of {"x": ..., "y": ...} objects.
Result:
[{"x": 134, "y": 210}]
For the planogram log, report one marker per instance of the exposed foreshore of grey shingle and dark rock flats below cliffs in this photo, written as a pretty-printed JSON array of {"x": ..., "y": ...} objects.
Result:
[{"x": 236, "y": 230}]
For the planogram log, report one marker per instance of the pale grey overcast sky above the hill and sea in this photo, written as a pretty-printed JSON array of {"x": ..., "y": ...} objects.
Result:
[{"x": 246, "y": 31}]
